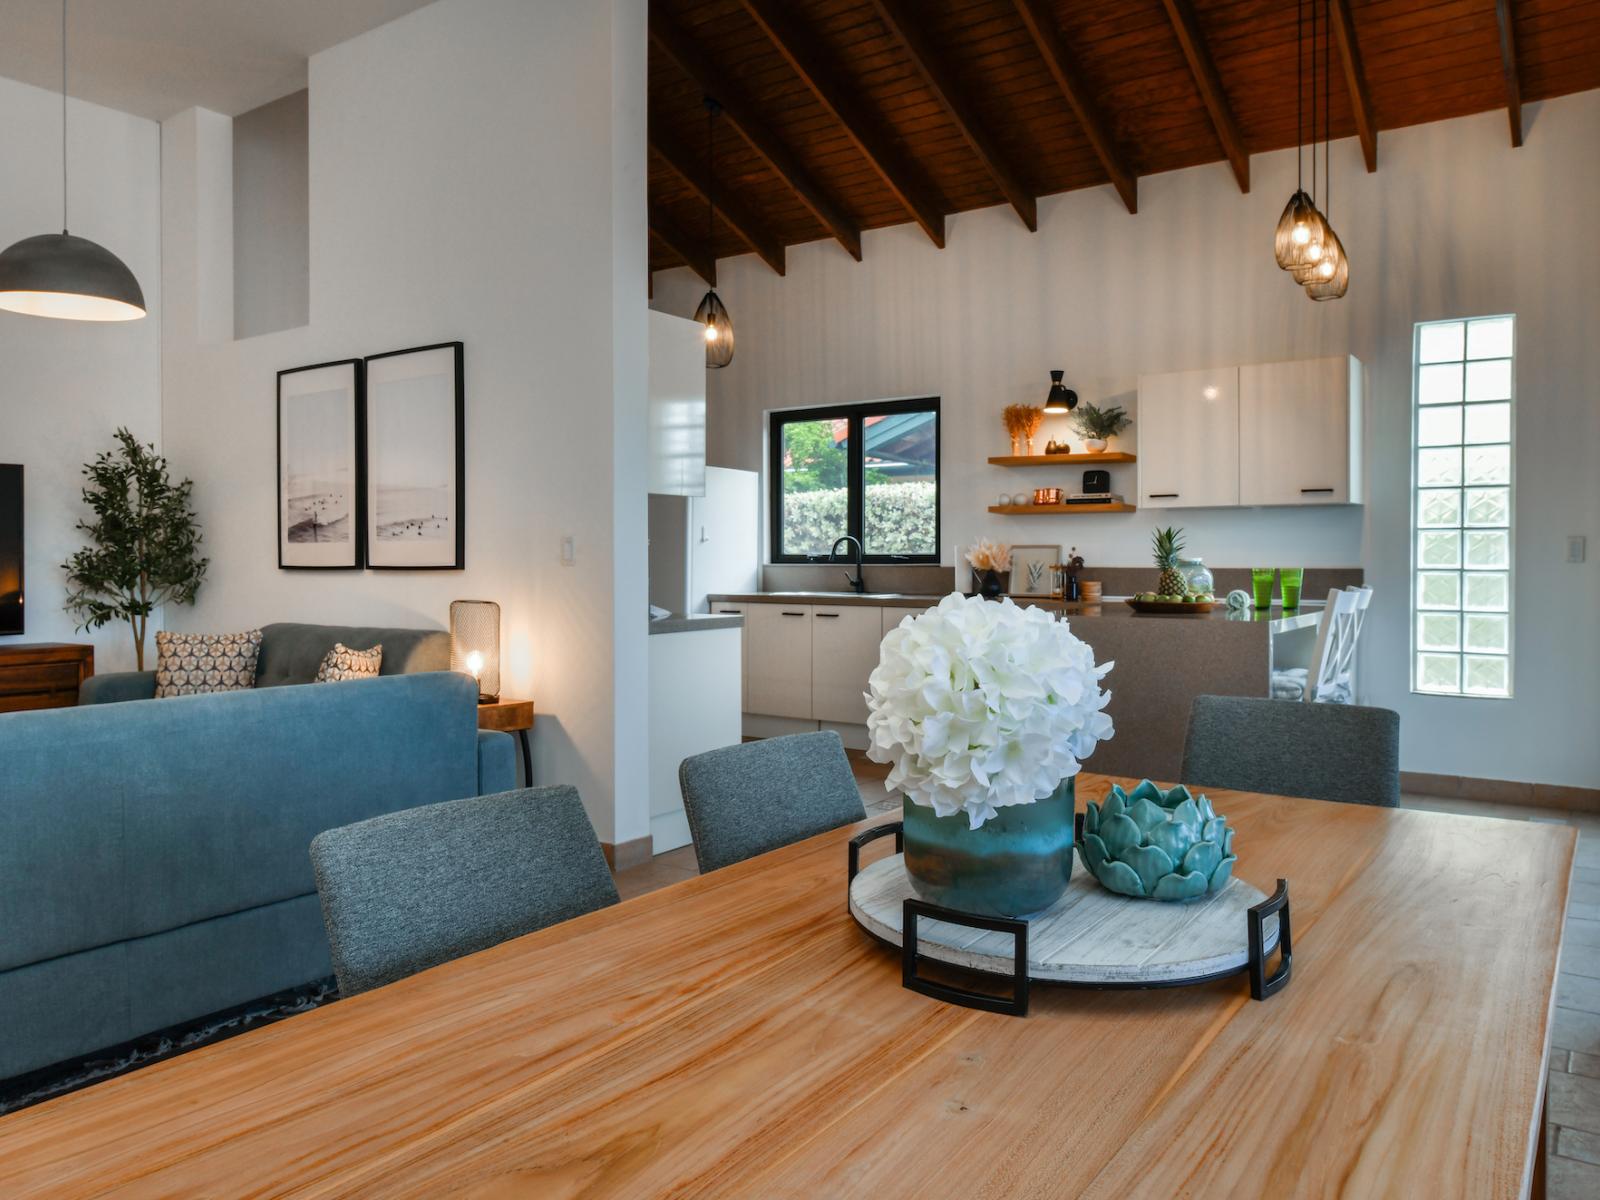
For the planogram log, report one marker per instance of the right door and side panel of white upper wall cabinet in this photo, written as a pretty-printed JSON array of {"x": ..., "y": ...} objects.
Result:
[{"x": 1300, "y": 433}]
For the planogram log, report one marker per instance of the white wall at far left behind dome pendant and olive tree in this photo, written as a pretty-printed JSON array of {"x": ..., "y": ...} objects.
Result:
[{"x": 66, "y": 386}]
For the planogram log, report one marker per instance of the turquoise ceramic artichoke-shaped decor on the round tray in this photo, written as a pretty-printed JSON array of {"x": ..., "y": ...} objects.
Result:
[{"x": 1162, "y": 846}]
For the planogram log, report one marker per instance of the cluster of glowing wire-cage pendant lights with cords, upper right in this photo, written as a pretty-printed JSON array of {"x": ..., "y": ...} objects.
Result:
[{"x": 1305, "y": 242}]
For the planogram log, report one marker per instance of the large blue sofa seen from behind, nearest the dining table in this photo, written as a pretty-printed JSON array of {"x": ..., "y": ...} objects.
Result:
[{"x": 154, "y": 858}]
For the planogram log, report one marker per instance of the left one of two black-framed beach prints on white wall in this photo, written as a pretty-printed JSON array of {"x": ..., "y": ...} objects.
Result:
[{"x": 322, "y": 516}]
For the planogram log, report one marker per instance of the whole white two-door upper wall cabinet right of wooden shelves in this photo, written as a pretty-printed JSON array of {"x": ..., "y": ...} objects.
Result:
[{"x": 1247, "y": 436}]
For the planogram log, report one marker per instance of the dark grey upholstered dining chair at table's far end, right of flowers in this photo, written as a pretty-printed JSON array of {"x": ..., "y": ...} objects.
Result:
[{"x": 1322, "y": 751}]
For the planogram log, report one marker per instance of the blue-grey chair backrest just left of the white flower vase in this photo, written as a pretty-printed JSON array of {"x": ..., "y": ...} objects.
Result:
[{"x": 745, "y": 801}]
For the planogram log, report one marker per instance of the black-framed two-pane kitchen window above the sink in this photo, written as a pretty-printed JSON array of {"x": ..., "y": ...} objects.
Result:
[{"x": 868, "y": 471}]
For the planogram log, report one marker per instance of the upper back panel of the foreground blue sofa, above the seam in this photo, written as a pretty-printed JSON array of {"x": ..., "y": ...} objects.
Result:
[{"x": 127, "y": 820}]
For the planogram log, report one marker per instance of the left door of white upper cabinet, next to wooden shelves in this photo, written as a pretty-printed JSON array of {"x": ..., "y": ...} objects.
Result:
[{"x": 1188, "y": 426}]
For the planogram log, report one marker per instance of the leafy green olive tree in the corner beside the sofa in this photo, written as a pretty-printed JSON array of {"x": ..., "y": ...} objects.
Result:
[{"x": 145, "y": 543}]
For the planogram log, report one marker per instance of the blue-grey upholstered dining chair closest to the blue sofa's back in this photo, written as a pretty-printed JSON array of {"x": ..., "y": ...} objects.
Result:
[{"x": 415, "y": 889}]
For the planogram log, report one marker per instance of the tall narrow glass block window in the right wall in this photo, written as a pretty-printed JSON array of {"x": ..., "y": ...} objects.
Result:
[{"x": 1462, "y": 508}]
